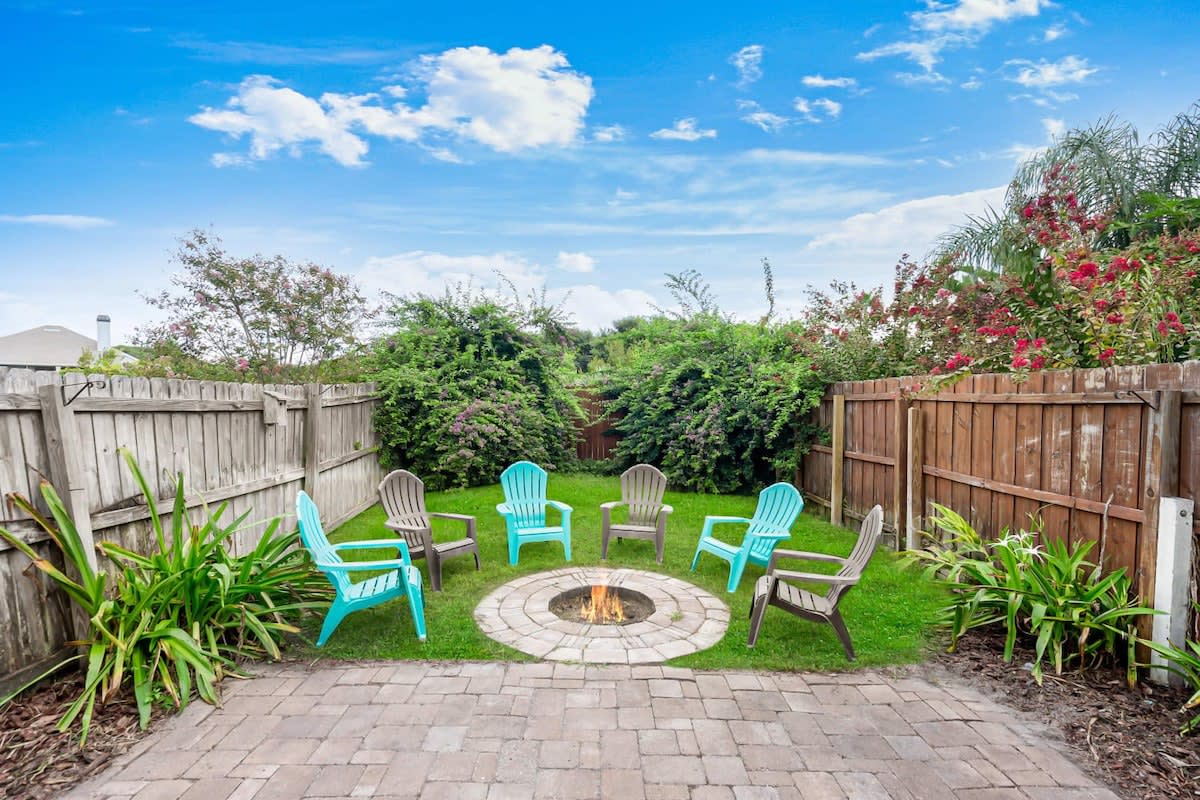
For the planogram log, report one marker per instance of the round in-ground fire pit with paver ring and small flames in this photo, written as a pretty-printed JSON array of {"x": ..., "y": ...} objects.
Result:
[{"x": 680, "y": 618}]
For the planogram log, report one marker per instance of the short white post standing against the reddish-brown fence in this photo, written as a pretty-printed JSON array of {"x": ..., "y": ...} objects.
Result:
[{"x": 1174, "y": 584}]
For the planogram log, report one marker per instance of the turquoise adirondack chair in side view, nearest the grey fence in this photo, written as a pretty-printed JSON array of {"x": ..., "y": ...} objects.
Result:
[{"x": 403, "y": 580}]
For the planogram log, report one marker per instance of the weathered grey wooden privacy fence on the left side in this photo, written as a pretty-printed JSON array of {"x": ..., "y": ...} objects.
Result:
[{"x": 250, "y": 446}]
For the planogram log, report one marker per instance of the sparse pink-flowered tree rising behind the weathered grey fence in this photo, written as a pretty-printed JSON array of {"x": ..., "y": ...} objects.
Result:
[{"x": 265, "y": 318}]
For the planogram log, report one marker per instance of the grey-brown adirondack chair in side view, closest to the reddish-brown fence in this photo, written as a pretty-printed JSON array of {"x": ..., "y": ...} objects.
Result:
[{"x": 773, "y": 591}]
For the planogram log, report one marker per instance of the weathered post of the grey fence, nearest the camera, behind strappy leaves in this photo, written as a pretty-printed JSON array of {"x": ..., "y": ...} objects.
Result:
[{"x": 64, "y": 449}]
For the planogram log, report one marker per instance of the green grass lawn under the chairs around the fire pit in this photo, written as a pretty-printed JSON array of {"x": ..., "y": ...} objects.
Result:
[{"x": 890, "y": 615}]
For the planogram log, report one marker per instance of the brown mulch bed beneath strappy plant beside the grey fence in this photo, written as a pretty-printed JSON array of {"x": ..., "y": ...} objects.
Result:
[{"x": 38, "y": 762}]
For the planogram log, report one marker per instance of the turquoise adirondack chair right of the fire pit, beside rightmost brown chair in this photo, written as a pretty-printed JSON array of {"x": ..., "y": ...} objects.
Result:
[{"x": 779, "y": 506}]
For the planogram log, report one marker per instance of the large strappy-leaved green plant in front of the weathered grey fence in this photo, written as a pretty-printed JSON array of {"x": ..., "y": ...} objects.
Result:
[{"x": 178, "y": 619}]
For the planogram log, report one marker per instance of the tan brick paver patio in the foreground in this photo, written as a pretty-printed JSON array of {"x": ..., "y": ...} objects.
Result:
[{"x": 512, "y": 732}]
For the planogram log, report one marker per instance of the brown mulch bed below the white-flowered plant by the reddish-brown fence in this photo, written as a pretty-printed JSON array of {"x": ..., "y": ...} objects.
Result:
[{"x": 1127, "y": 738}]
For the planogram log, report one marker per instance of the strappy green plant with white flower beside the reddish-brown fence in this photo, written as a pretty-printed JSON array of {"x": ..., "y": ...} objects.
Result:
[{"x": 1049, "y": 594}]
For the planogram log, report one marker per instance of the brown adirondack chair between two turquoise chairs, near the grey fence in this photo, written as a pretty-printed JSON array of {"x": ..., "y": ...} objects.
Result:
[{"x": 404, "y": 498}]
